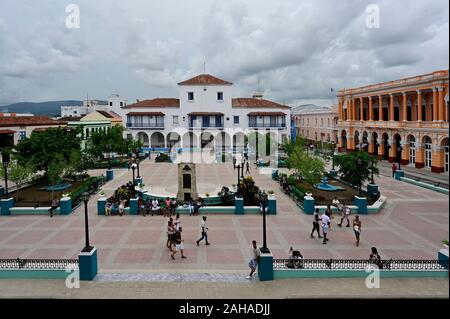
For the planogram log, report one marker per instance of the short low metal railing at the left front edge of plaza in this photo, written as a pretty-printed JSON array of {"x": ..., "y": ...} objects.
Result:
[{"x": 38, "y": 264}]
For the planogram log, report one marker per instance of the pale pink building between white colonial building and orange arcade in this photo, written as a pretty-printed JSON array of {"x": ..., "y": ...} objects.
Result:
[{"x": 315, "y": 123}]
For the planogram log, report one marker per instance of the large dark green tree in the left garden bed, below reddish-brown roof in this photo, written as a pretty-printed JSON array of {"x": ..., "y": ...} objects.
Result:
[{"x": 42, "y": 147}]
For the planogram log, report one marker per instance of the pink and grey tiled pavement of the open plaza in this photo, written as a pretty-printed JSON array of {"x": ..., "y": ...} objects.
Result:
[{"x": 412, "y": 225}]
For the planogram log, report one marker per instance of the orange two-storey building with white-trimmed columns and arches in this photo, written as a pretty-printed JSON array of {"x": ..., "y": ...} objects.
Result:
[{"x": 411, "y": 113}]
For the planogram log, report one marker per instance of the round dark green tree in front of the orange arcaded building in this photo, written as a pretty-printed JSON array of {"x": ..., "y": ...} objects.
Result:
[{"x": 349, "y": 170}]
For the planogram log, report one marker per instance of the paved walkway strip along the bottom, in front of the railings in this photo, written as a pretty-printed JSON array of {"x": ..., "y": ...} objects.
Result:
[{"x": 292, "y": 288}]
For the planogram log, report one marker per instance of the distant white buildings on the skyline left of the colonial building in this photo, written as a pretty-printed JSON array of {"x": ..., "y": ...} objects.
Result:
[{"x": 89, "y": 106}]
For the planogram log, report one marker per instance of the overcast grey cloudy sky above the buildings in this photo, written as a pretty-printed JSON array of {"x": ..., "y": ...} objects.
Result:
[{"x": 298, "y": 49}]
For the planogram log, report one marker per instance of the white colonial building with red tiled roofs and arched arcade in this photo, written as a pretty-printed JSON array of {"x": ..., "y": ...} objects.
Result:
[{"x": 205, "y": 116}]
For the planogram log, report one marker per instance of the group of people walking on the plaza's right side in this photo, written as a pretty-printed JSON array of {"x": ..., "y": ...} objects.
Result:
[{"x": 324, "y": 220}]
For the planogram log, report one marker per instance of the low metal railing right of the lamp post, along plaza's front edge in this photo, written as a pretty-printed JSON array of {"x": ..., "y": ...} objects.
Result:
[{"x": 359, "y": 264}]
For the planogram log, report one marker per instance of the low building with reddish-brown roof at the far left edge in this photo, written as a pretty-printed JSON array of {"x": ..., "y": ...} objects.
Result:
[{"x": 16, "y": 128}]
